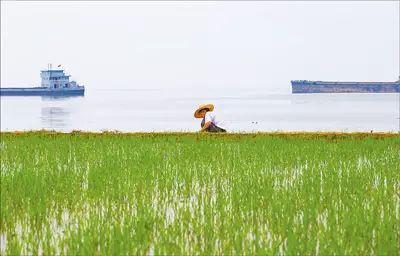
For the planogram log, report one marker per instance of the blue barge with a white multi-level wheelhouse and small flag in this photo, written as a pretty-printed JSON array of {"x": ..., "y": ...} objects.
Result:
[{"x": 54, "y": 83}]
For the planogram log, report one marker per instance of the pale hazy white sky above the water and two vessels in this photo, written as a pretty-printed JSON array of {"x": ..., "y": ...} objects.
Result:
[{"x": 200, "y": 44}]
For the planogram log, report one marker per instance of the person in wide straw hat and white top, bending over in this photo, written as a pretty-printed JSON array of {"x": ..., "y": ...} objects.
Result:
[{"x": 210, "y": 122}]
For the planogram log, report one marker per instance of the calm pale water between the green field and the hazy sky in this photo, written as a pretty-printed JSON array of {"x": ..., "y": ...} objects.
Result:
[{"x": 172, "y": 110}]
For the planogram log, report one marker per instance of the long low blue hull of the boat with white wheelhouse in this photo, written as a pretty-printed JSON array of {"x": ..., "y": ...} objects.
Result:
[{"x": 38, "y": 91}]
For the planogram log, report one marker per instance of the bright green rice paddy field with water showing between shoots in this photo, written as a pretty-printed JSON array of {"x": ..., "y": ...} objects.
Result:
[{"x": 188, "y": 193}]
